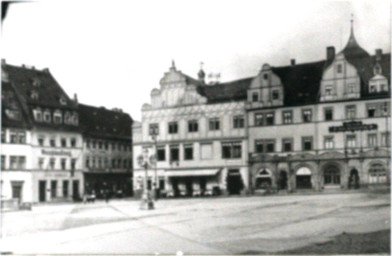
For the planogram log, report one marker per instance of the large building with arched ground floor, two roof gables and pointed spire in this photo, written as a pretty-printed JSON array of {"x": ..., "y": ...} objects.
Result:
[{"x": 321, "y": 125}]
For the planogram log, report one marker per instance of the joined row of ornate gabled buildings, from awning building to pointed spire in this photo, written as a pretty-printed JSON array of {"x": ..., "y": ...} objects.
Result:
[{"x": 318, "y": 126}]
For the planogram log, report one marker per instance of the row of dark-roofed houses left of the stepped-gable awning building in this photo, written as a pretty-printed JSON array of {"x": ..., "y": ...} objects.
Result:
[{"x": 53, "y": 148}]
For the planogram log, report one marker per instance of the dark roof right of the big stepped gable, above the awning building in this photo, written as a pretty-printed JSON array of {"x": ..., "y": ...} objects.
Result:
[{"x": 222, "y": 92}]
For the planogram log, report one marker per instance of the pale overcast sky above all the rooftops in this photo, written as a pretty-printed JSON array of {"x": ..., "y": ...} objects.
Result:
[{"x": 113, "y": 53}]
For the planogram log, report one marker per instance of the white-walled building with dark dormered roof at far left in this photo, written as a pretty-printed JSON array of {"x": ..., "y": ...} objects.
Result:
[{"x": 41, "y": 146}]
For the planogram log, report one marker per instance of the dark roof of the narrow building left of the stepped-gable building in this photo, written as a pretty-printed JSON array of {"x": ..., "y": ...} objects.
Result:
[{"x": 102, "y": 123}]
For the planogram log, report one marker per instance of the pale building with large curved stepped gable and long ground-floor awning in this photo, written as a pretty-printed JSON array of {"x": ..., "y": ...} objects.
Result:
[{"x": 199, "y": 135}]
